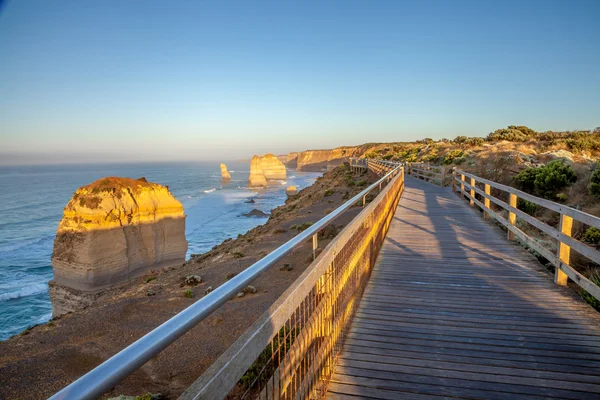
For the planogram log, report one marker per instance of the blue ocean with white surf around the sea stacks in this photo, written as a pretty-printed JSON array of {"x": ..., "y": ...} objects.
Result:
[{"x": 32, "y": 199}]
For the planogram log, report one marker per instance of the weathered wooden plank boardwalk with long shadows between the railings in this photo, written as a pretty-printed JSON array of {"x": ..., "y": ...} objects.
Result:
[{"x": 455, "y": 310}]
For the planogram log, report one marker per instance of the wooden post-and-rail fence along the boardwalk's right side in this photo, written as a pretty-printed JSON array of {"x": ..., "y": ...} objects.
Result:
[{"x": 476, "y": 189}]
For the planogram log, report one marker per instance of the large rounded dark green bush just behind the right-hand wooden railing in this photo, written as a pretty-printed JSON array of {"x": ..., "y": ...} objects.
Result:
[{"x": 546, "y": 180}]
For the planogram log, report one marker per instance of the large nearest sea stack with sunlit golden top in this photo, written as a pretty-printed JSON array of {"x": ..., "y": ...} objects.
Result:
[{"x": 113, "y": 231}]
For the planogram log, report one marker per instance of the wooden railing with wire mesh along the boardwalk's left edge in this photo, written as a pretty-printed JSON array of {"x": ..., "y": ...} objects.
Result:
[{"x": 290, "y": 351}]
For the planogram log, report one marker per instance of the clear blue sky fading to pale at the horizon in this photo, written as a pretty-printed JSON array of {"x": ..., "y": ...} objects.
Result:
[{"x": 164, "y": 80}]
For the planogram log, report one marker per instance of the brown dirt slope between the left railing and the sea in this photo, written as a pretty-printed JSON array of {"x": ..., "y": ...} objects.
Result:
[{"x": 42, "y": 360}]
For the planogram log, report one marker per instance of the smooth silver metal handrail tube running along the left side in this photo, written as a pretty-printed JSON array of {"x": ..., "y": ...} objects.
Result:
[{"x": 102, "y": 378}]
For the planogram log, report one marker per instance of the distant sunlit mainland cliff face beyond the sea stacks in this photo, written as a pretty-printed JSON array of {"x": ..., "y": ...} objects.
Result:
[{"x": 321, "y": 160}]
